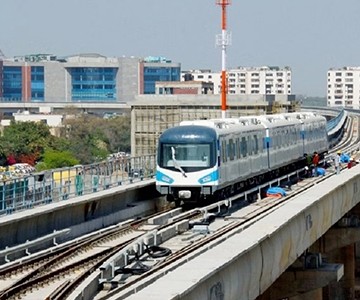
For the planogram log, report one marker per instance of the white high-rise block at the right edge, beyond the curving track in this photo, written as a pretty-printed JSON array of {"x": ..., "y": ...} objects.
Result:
[{"x": 343, "y": 87}]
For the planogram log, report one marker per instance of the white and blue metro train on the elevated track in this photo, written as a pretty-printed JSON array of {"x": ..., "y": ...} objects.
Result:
[{"x": 203, "y": 159}]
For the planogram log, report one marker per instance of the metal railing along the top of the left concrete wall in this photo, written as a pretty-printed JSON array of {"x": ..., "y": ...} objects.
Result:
[{"x": 27, "y": 191}]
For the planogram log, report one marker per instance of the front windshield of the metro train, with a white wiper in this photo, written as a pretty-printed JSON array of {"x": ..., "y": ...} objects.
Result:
[{"x": 186, "y": 157}]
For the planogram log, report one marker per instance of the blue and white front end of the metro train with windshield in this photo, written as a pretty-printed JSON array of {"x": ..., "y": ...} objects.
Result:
[{"x": 187, "y": 161}]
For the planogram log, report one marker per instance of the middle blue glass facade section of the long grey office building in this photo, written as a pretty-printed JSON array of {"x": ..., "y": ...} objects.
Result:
[{"x": 93, "y": 84}]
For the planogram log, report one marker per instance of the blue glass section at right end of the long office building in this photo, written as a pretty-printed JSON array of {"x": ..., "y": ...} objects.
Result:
[{"x": 159, "y": 73}]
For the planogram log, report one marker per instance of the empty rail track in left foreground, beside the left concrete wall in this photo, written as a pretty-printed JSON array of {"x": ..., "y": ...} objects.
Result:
[{"x": 61, "y": 267}]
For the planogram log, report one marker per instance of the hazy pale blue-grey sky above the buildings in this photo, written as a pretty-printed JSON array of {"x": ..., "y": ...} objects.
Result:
[{"x": 310, "y": 36}]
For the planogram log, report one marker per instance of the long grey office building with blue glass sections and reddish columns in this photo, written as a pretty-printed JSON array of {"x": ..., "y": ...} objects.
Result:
[{"x": 82, "y": 78}]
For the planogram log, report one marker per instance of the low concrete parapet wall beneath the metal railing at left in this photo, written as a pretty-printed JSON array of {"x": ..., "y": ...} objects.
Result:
[{"x": 83, "y": 214}]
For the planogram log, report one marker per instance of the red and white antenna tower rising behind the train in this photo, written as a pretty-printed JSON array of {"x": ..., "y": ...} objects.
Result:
[{"x": 223, "y": 40}]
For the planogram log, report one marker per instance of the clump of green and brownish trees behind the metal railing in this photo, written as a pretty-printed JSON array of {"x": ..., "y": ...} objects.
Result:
[{"x": 86, "y": 138}]
